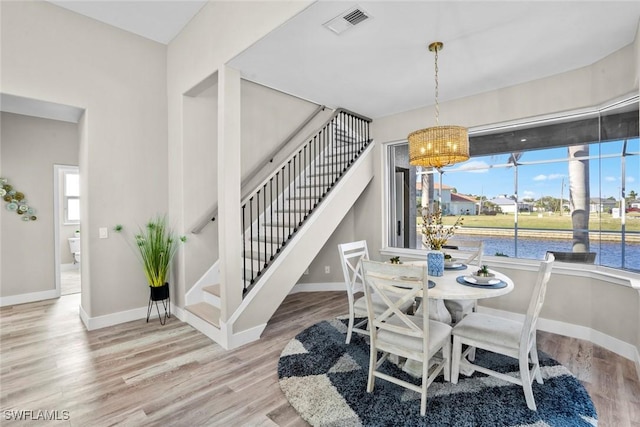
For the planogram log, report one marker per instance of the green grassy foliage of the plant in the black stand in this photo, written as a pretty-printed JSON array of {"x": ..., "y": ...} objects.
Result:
[{"x": 156, "y": 245}]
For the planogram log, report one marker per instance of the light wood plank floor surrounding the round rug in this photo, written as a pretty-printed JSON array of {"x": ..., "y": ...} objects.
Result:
[{"x": 142, "y": 373}]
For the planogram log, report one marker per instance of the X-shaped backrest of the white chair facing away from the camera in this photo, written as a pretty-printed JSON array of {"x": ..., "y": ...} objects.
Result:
[{"x": 396, "y": 284}]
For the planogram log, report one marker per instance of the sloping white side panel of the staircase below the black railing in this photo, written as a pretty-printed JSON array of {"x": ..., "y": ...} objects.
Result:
[{"x": 247, "y": 323}]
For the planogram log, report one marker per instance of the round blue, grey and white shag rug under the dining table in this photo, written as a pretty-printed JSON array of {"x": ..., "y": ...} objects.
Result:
[{"x": 325, "y": 380}]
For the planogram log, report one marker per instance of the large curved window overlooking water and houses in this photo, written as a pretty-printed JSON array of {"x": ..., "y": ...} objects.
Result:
[{"x": 566, "y": 184}]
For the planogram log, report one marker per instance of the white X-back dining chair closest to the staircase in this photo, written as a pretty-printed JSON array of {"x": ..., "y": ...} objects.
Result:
[{"x": 350, "y": 255}]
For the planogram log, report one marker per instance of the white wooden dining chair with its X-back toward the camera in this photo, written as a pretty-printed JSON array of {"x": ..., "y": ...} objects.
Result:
[{"x": 395, "y": 332}]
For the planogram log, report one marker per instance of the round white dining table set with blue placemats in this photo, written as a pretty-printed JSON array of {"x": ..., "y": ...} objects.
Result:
[{"x": 447, "y": 287}]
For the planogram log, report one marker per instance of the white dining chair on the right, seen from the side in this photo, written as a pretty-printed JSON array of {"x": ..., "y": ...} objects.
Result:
[{"x": 509, "y": 337}]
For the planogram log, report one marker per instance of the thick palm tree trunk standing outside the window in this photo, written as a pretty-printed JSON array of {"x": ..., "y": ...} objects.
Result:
[{"x": 579, "y": 195}]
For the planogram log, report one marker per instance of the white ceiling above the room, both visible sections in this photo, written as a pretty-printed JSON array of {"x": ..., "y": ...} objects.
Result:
[{"x": 382, "y": 66}]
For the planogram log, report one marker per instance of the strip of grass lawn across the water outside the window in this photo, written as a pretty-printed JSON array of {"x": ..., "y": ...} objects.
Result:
[{"x": 602, "y": 222}]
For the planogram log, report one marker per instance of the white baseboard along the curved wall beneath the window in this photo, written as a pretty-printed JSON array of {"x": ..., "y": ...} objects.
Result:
[{"x": 615, "y": 345}]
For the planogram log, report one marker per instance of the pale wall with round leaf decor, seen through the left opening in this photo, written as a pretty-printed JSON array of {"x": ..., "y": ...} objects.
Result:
[{"x": 30, "y": 147}]
